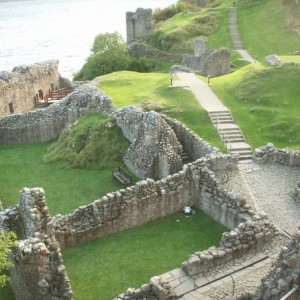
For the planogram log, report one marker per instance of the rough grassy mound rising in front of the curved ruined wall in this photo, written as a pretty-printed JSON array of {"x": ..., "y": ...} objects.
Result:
[{"x": 93, "y": 141}]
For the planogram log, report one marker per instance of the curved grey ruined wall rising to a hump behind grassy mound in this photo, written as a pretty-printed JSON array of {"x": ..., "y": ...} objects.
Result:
[{"x": 46, "y": 124}]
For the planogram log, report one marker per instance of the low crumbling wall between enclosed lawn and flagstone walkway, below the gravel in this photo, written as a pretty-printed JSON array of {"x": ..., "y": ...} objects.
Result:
[{"x": 232, "y": 245}]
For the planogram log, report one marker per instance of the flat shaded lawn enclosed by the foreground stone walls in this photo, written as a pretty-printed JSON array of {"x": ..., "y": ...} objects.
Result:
[{"x": 104, "y": 268}]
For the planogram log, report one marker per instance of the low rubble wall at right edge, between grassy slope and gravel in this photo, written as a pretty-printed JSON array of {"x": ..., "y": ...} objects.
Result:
[{"x": 270, "y": 154}]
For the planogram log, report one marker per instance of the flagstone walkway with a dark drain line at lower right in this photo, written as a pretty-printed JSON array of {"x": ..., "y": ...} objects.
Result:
[{"x": 232, "y": 278}]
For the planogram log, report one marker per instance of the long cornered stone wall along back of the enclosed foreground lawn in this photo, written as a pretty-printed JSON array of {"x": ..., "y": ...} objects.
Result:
[{"x": 148, "y": 200}]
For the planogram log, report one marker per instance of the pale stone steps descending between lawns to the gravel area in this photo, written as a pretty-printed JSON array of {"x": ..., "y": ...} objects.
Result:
[{"x": 231, "y": 134}]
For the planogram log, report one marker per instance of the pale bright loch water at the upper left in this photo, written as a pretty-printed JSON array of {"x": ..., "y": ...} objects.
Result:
[{"x": 38, "y": 30}]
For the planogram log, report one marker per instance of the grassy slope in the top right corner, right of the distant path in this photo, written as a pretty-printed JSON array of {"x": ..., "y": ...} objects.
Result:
[{"x": 262, "y": 27}]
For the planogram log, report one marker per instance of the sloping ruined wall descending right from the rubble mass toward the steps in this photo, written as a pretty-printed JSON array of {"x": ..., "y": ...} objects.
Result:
[{"x": 192, "y": 144}]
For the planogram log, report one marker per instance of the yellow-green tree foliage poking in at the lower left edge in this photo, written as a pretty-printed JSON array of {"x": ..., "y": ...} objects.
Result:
[{"x": 7, "y": 242}]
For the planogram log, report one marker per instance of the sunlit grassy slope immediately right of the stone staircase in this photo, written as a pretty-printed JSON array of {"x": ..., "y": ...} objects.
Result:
[{"x": 264, "y": 102}]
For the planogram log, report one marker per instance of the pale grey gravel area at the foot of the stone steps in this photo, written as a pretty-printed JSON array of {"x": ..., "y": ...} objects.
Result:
[{"x": 269, "y": 188}]
